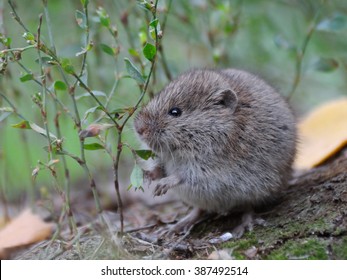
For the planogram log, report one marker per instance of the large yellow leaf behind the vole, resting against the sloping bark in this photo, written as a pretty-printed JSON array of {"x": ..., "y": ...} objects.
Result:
[{"x": 322, "y": 134}]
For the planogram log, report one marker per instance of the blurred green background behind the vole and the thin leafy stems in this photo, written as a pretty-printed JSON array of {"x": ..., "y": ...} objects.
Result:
[{"x": 265, "y": 37}]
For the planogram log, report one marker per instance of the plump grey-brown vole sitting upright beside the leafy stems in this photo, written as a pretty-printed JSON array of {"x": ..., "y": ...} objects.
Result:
[{"x": 225, "y": 141}]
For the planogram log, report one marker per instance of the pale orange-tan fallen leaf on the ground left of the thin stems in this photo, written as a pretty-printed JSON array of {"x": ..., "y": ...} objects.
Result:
[{"x": 25, "y": 229}]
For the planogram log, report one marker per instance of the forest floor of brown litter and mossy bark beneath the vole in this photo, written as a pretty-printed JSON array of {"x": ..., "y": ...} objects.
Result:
[{"x": 309, "y": 222}]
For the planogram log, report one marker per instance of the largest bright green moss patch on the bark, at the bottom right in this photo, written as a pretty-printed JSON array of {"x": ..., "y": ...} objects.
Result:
[{"x": 310, "y": 249}]
